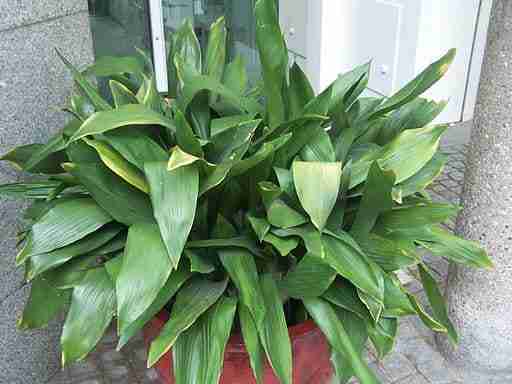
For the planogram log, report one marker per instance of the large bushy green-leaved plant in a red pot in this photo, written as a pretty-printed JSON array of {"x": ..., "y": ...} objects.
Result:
[{"x": 255, "y": 233}]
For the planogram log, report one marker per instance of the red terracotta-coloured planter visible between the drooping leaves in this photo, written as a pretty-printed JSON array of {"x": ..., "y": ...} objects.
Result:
[{"x": 311, "y": 357}]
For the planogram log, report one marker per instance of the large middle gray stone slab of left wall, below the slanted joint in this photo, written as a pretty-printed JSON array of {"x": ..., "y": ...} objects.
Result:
[{"x": 34, "y": 85}]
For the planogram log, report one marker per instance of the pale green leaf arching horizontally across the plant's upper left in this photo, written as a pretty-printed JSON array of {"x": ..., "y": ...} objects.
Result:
[{"x": 126, "y": 115}]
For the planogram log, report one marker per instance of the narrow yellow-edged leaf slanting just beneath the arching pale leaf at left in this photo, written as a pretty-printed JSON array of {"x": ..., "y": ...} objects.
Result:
[{"x": 119, "y": 165}]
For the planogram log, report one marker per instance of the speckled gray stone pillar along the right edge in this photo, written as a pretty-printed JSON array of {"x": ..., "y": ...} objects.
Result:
[{"x": 480, "y": 300}]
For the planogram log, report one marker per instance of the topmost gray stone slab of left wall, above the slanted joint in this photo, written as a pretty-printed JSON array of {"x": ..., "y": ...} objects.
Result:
[{"x": 22, "y": 12}]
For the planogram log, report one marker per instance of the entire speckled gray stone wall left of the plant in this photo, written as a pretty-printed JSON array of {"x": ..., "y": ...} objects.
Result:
[{"x": 33, "y": 88}]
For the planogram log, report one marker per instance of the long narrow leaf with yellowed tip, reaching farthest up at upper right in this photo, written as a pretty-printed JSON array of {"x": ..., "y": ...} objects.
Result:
[{"x": 420, "y": 84}]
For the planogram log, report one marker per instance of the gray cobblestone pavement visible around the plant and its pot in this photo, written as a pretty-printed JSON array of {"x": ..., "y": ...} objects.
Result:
[{"x": 414, "y": 360}]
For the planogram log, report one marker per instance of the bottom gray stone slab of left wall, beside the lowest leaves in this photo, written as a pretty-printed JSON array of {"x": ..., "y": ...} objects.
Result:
[{"x": 26, "y": 357}]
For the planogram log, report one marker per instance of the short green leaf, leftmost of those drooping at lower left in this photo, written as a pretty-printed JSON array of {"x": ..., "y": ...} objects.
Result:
[{"x": 43, "y": 304}]
